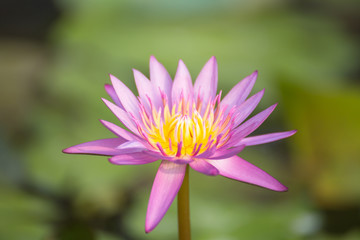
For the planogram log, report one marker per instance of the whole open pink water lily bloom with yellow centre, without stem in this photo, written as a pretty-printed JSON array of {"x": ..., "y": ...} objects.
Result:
[{"x": 181, "y": 123}]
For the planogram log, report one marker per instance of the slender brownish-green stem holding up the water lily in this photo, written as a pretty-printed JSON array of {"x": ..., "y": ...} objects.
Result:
[{"x": 183, "y": 208}]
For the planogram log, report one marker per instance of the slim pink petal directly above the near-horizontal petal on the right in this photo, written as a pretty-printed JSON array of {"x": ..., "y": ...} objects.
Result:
[{"x": 251, "y": 125}]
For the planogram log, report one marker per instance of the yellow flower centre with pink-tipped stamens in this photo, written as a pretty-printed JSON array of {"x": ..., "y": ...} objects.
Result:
[{"x": 184, "y": 132}]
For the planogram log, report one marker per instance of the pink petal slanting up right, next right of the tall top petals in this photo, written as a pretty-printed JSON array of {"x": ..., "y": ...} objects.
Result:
[{"x": 240, "y": 92}]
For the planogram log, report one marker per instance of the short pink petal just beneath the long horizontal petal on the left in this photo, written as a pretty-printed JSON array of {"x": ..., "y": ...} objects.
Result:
[{"x": 132, "y": 159}]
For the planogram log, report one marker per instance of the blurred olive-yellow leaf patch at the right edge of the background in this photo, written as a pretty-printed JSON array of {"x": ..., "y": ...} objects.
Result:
[{"x": 327, "y": 150}]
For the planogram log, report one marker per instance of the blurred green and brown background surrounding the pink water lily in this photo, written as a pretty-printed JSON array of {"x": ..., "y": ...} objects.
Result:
[{"x": 54, "y": 61}]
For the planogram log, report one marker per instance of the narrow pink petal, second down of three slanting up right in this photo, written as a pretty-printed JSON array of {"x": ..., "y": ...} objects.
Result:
[{"x": 247, "y": 107}]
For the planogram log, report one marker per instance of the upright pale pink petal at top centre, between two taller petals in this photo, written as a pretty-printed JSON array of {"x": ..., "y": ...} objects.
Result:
[{"x": 182, "y": 84}]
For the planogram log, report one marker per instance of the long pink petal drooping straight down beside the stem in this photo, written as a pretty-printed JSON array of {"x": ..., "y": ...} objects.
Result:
[{"x": 166, "y": 185}]
